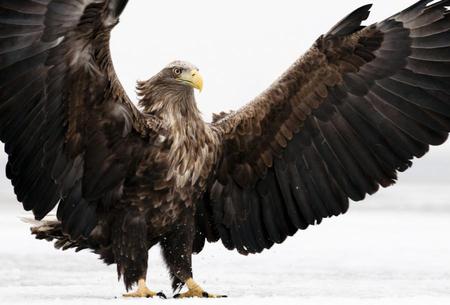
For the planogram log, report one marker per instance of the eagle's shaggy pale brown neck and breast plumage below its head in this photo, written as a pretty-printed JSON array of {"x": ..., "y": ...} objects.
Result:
[{"x": 191, "y": 152}]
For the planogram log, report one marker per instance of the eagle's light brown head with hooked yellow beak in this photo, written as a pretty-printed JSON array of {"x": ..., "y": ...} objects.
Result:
[{"x": 173, "y": 85}]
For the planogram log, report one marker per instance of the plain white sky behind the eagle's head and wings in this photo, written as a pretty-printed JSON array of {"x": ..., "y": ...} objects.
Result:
[{"x": 240, "y": 46}]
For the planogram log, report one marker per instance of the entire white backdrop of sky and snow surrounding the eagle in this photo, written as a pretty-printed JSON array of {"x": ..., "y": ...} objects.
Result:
[{"x": 392, "y": 249}]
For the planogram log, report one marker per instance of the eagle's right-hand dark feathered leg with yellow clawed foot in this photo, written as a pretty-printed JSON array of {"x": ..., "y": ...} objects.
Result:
[{"x": 177, "y": 252}]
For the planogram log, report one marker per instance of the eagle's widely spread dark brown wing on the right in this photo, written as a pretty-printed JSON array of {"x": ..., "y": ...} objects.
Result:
[{"x": 343, "y": 120}]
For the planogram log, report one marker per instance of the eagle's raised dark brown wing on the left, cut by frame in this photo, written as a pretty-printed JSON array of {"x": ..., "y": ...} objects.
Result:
[{"x": 67, "y": 124}]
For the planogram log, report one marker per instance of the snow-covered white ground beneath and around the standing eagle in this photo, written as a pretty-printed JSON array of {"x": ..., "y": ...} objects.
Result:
[{"x": 393, "y": 249}]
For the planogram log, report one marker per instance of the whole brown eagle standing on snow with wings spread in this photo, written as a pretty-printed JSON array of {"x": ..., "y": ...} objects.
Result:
[{"x": 340, "y": 123}]
